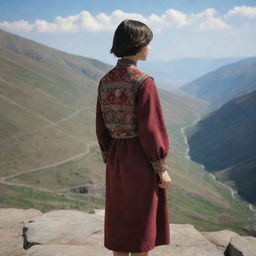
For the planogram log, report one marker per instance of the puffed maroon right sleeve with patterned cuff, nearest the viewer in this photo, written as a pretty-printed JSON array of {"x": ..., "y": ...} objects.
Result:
[{"x": 153, "y": 134}]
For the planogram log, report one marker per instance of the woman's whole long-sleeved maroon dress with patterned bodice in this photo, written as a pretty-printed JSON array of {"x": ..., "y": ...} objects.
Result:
[{"x": 134, "y": 143}]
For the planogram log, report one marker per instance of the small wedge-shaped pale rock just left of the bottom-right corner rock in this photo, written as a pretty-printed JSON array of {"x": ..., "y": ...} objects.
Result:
[{"x": 220, "y": 238}]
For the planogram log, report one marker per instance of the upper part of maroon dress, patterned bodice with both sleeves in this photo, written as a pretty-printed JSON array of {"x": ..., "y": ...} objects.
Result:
[{"x": 128, "y": 105}]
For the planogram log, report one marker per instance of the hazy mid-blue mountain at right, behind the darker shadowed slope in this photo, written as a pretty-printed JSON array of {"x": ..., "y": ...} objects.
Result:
[{"x": 224, "y": 83}]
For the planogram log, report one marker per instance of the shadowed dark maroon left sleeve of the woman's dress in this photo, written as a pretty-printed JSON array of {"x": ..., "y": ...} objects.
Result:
[{"x": 102, "y": 131}]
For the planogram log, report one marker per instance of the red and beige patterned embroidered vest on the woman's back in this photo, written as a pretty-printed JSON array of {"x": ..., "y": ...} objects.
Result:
[{"x": 117, "y": 92}]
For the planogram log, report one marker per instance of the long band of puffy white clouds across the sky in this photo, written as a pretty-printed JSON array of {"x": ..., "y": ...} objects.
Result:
[{"x": 207, "y": 20}]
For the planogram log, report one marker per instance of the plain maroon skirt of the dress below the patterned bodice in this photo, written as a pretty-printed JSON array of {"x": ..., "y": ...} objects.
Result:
[{"x": 136, "y": 208}]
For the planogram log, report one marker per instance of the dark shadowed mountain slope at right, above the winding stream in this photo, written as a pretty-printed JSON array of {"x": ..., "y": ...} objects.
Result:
[{"x": 224, "y": 141}]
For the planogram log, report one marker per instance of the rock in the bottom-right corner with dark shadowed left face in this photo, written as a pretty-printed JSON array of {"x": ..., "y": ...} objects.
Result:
[{"x": 241, "y": 246}]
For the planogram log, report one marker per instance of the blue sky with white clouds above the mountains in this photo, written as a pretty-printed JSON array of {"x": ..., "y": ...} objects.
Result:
[{"x": 181, "y": 28}]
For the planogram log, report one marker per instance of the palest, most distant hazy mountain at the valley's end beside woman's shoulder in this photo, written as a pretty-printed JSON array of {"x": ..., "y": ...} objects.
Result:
[{"x": 176, "y": 73}]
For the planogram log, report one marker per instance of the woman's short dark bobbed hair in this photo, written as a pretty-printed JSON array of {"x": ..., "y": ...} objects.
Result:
[{"x": 130, "y": 37}]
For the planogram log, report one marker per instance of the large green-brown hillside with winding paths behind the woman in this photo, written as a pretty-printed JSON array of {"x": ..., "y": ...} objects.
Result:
[{"x": 50, "y": 158}]
